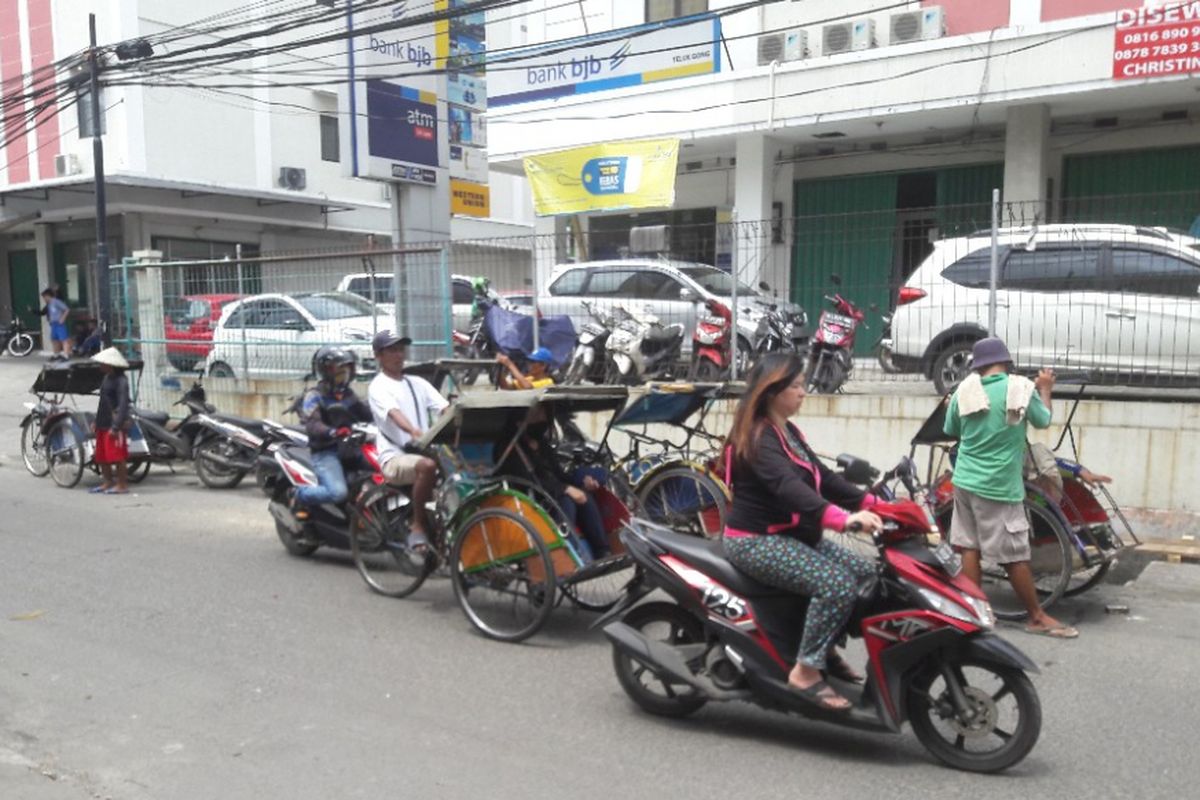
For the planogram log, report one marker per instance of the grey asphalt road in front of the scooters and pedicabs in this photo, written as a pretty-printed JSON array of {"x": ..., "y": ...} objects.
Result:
[{"x": 163, "y": 646}]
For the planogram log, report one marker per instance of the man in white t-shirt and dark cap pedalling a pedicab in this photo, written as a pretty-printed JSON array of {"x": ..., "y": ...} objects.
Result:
[{"x": 404, "y": 408}]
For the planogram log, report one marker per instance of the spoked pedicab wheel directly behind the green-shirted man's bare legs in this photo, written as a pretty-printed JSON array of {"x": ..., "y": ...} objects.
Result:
[{"x": 1051, "y": 562}]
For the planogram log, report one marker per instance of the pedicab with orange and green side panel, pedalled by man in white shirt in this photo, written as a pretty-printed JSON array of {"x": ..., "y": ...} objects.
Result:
[{"x": 511, "y": 554}]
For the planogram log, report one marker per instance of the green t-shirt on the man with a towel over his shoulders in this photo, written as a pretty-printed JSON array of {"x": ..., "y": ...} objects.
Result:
[{"x": 992, "y": 453}]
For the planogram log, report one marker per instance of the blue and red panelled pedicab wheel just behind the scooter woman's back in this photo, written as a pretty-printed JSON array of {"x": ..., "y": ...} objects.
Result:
[{"x": 685, "y": 500}]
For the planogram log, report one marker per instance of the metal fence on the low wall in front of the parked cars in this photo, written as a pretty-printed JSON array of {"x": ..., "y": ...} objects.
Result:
[{"x": 1109, "y": 287}]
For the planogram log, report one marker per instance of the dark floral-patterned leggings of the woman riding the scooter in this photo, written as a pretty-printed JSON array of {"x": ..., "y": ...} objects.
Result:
[{"x": 829, "y": 574}]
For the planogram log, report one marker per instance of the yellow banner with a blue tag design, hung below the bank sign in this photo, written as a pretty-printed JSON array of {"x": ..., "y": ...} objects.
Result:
[{"x": 604, "y": 177}]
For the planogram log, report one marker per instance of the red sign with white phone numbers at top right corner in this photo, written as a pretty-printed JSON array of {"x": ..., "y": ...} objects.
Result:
[{"x": 1157, "y": 41}]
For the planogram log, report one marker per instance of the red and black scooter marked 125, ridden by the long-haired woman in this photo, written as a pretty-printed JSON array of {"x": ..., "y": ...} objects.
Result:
[{"x": 932, "y": 657}]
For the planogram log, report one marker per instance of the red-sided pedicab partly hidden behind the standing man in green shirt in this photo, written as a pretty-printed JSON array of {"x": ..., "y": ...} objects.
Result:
[{"x": 1076, "y": 533}]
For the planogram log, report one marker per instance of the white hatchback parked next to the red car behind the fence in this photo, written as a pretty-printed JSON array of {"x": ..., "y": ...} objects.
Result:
[{"x": 274, "y": 336}]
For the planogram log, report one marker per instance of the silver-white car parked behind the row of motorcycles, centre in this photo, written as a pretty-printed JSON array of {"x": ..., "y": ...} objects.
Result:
[{"x": 675, "y": 292}]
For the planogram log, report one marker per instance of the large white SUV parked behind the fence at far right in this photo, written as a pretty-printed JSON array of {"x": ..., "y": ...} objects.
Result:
[{"x": 1117, "y": 300}]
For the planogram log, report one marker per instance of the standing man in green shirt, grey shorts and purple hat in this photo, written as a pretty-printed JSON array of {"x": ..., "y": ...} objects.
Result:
[{"x": 991, "y": 413}]
